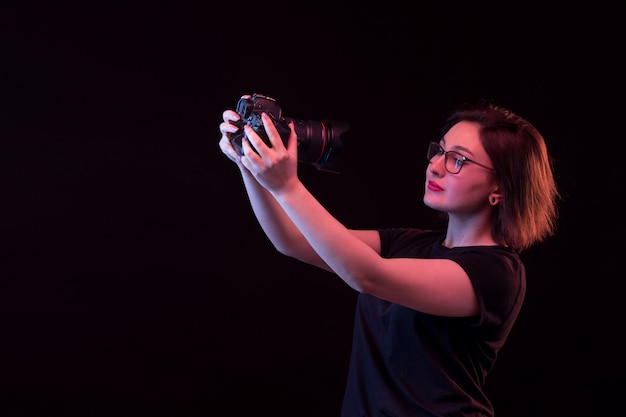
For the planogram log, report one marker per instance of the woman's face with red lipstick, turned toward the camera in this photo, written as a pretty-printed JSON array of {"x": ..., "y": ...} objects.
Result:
[{"x": 467, "y": 192}]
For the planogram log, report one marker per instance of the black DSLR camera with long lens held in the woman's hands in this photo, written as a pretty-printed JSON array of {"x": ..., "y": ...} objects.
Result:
[{"x": 319, "y": 142}]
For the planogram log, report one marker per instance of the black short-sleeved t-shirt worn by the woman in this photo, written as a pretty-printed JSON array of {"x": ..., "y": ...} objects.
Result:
[{"x": 407, "y": 363}]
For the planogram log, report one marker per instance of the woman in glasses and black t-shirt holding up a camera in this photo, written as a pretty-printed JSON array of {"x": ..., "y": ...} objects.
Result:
[{"x": 434, "y": 306}]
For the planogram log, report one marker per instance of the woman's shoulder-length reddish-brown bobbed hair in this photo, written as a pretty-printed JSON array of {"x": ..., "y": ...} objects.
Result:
[{"x": 528, "y": 210}]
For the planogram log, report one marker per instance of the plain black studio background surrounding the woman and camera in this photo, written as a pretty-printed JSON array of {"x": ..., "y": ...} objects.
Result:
[{"x": 135, "y": 280}]
